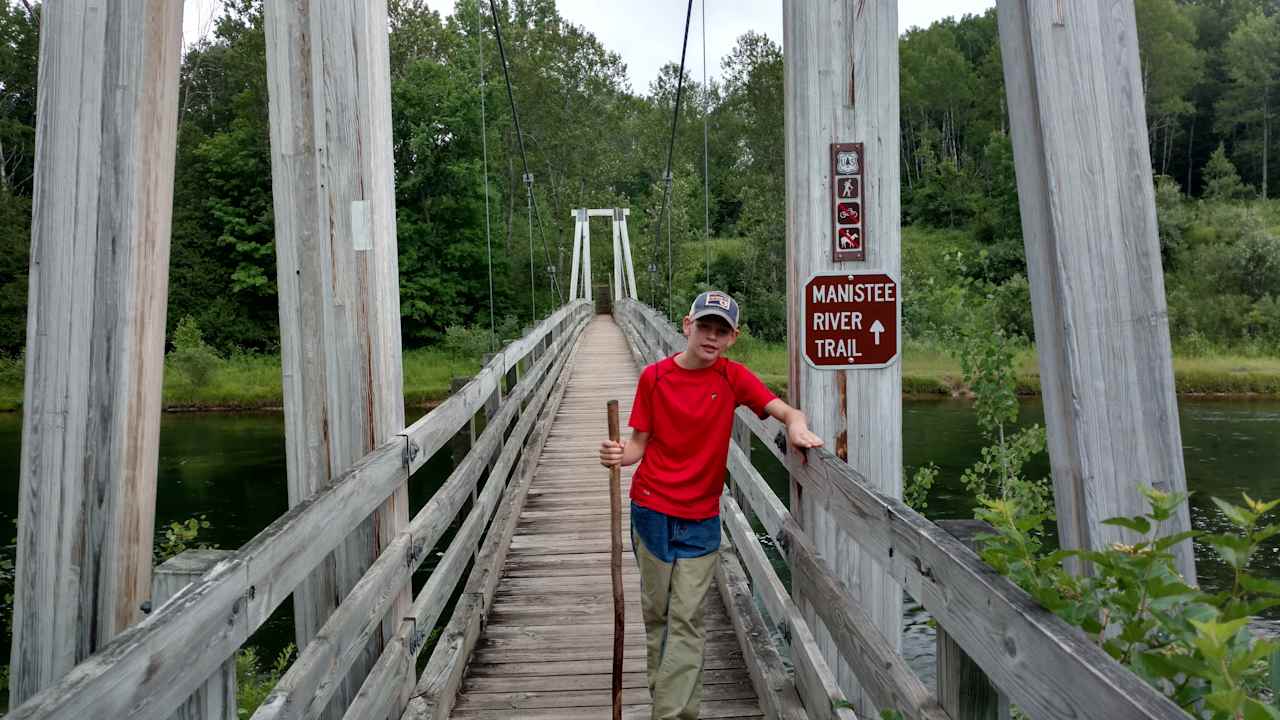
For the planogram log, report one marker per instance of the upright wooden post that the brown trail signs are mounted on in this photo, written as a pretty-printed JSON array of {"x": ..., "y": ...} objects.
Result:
[{"x": 843, "y": 86}]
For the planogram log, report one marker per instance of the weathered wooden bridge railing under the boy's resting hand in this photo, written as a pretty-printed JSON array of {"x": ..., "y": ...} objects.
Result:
[{"x": 994, "y": 635}]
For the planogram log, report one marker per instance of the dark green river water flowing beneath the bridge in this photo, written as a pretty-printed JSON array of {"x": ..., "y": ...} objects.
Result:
[{"x": 231, "y": 468}]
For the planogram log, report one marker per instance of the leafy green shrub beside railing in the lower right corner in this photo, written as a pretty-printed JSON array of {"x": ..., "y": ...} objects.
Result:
[{"x": 1194, "y": 646}]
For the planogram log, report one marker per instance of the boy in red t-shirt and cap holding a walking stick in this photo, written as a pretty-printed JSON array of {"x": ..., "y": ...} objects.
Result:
[{"x": 682, "y": 422}]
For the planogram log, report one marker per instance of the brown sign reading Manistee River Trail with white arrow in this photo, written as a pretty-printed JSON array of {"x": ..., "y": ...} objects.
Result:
[{"x": 852, "y": 321}]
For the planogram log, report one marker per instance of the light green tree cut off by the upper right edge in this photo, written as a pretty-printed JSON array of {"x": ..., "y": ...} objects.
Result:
[{"x": 1252, "y": 58}]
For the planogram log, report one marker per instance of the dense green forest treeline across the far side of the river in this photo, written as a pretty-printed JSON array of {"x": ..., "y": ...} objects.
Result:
[{"x": 1212, "y": 72}]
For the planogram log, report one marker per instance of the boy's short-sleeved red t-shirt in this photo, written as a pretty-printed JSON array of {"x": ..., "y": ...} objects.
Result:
[{"x": 691, "y": 418}]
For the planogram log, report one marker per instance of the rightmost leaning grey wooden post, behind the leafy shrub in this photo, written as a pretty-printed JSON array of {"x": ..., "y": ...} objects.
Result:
[{"x": 1085, "y": 185}]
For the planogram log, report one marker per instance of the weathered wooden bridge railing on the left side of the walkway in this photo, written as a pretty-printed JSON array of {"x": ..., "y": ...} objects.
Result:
[{"x": 153, "y": 668}]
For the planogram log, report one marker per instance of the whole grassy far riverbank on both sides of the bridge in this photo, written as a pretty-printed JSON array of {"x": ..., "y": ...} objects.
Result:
[{"x": 253, "y": 382}]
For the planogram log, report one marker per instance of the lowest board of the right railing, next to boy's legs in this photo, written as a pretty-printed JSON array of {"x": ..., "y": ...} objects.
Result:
[{"x": 774, "y": 683}]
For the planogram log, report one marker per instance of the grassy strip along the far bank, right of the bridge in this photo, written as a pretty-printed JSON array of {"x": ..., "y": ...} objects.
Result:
[{"x": 927, "y": 370}]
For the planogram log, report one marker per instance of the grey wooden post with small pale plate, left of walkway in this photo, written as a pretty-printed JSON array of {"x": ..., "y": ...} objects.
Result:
[{"x": 332, "y": 172}]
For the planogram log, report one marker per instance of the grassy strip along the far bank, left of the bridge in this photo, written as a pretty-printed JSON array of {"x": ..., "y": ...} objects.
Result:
[{"x": 253, "y": 382}]
